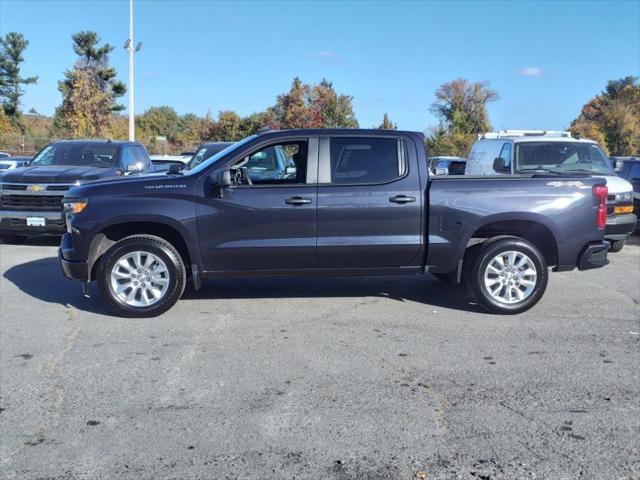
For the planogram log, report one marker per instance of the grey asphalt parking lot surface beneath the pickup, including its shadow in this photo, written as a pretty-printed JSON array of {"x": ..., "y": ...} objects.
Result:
[{"x": 340, "y": 378}]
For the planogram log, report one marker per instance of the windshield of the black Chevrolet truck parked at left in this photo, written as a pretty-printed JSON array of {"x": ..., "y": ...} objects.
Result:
[{"x": 77, "y": 154}]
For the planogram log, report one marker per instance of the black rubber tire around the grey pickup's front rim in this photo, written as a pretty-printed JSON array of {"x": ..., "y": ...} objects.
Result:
[{"x": 145, "y": 243}]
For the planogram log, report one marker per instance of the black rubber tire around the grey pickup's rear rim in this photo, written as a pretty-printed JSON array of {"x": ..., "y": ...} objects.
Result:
[{"x": 474, "y": 270}]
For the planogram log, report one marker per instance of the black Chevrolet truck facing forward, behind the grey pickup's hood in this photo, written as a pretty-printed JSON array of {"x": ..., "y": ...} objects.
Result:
[{"x": 31, "y": 196}]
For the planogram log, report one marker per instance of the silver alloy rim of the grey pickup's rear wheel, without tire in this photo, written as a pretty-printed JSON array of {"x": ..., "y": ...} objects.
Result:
[{"x": 510, "y": 277}]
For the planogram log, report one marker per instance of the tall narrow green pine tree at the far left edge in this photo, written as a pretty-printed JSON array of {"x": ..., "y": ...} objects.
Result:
[{"x": 12, "y": 47}]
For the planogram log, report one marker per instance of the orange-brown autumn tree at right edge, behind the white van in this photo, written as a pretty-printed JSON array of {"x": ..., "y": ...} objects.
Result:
[{"x": 613, "y": 117}]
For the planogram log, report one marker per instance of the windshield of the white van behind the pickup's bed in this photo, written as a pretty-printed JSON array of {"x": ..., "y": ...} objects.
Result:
[{"x": 561, "y": 157}]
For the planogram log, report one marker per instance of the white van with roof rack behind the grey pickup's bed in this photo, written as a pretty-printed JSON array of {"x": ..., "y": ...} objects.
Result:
[{"x": 514, "y": 152}]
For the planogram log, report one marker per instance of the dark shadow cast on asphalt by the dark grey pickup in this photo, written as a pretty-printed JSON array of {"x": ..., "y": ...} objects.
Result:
[{"x": 42, "y": 279}]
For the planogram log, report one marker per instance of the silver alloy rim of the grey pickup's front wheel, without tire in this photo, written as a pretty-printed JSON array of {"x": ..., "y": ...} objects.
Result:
[{"x": 139, "y": 279}]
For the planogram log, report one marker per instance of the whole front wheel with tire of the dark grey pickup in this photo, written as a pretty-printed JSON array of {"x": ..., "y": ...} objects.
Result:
[{"x": 141, "y": 276}]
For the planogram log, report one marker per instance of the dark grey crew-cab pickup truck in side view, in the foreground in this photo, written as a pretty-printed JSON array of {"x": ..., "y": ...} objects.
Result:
[{"x": 354, "y": 202}]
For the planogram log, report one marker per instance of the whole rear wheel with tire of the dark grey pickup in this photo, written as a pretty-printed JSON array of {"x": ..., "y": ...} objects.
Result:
[{"x": 507, "y": 275}]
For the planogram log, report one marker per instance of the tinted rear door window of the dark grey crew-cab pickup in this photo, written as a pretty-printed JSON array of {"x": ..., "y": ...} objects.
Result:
[{"x": 365, "y": 160}]
